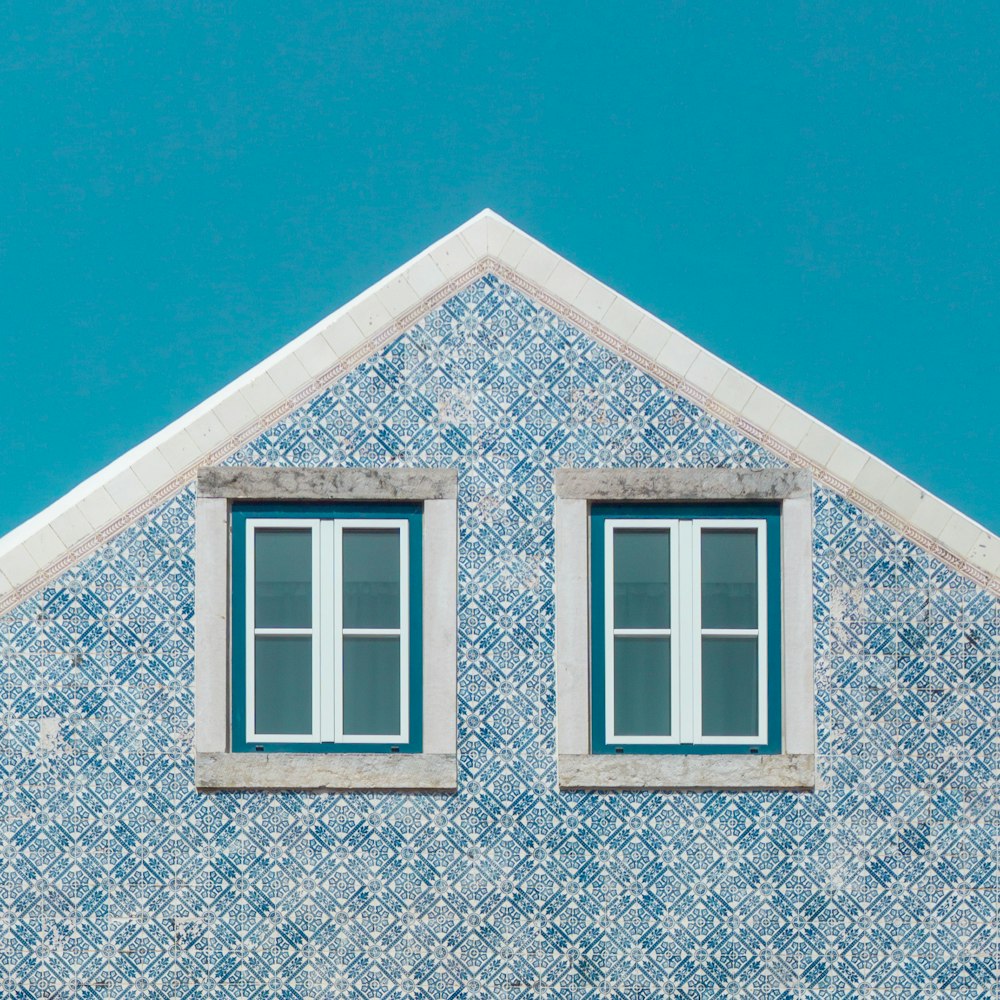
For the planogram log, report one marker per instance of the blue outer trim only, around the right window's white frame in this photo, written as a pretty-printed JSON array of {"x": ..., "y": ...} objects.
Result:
[{"x": 771, "y": 514}]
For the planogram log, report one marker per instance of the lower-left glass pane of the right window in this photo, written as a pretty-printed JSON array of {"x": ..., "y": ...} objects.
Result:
[{"x": 642, "y": 686}]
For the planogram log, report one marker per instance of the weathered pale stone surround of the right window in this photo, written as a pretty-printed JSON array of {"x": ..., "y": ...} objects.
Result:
[{"x": 794, "y": 769}]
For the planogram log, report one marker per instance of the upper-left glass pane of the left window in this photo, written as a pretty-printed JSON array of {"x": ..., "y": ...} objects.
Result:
[{"x": 283, "y": 578}]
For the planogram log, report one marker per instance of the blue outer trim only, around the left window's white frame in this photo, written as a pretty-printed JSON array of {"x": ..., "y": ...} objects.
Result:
[{"x": 411, "y": 512}]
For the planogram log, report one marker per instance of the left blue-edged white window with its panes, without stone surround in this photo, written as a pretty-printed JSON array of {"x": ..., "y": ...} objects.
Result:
[{"x": 332, "y": 651}]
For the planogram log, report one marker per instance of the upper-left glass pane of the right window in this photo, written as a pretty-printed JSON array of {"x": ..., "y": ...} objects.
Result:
[{"x": 642, "y": 578}]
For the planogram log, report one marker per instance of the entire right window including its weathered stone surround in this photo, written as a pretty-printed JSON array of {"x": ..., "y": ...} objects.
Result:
[{"x": 684, "y": 629}]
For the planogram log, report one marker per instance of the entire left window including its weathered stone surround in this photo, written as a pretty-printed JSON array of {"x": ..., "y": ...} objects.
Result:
[{"x": 325, "y": 629}]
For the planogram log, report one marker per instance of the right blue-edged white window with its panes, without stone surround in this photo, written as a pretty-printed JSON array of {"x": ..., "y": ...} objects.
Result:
[{"x": 700, "y": 672}]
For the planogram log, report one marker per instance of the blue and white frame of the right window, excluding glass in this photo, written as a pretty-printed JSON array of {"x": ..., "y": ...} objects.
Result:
[{"x": 686, "y": 630}]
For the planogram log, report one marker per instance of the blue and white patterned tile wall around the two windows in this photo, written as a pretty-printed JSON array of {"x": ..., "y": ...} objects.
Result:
[{"x": 118, "y": 879}]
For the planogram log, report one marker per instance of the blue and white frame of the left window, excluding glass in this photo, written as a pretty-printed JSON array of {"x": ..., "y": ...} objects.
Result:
[{"x": 326, "y": 519}]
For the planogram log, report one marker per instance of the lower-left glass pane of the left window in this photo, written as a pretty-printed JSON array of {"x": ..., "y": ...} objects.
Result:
[{"x": 283, "y": 684}]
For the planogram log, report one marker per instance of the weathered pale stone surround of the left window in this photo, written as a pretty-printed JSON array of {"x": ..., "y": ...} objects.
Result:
[{"x": 216, "y": 767}]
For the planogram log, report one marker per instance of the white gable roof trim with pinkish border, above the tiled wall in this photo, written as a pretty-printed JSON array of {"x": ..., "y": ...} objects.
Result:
[{"x": 58, "y": 537}]
